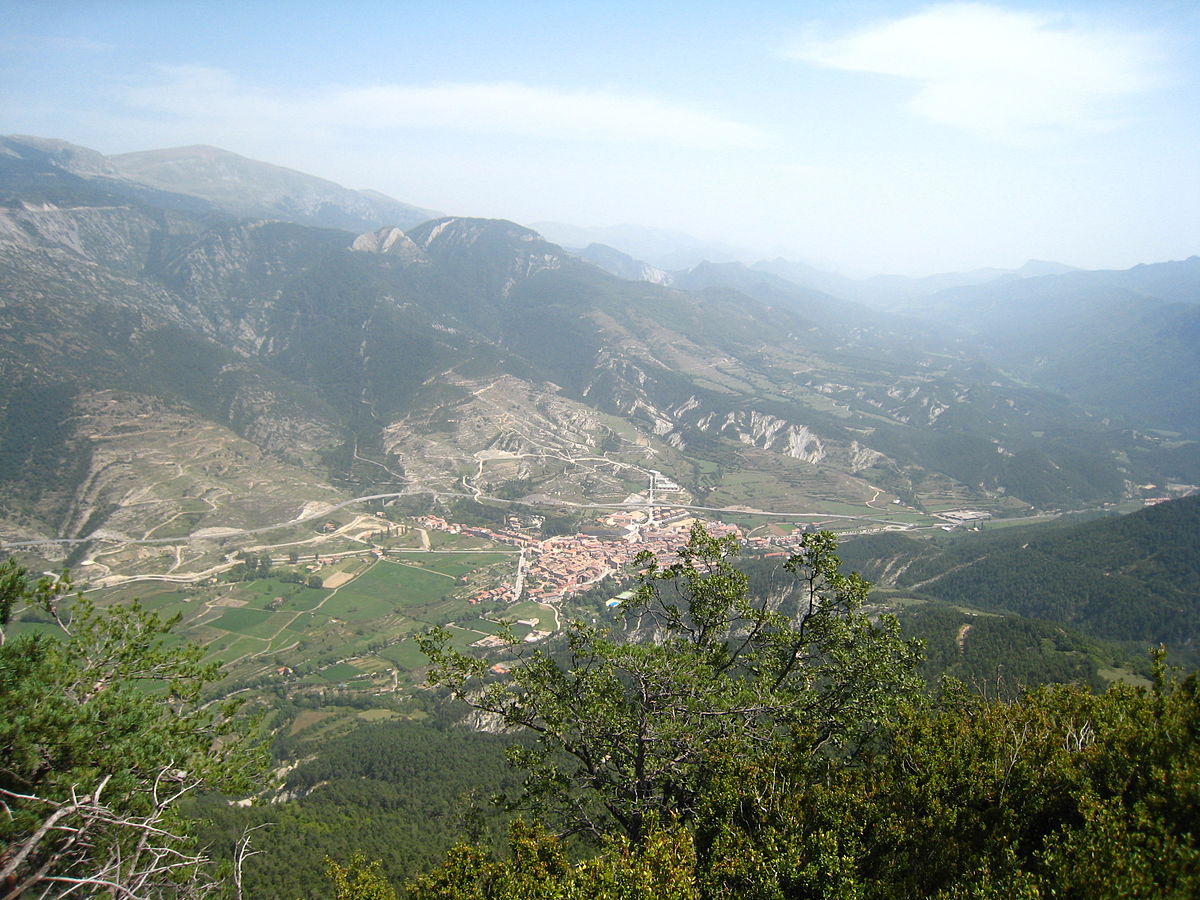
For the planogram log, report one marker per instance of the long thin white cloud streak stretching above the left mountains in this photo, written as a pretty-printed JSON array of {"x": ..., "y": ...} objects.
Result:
[{"x": 497, "y": 109}]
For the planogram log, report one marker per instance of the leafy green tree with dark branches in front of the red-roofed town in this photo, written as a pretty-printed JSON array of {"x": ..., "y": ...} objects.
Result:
[{"x": 626, "y": 728}]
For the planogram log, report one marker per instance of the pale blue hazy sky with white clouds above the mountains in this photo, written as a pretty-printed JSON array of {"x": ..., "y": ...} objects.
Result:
[{"x": 869, "y": 136}]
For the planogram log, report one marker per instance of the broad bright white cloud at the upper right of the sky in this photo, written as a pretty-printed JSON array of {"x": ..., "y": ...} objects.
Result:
[{"x": 1013, "y": 75}]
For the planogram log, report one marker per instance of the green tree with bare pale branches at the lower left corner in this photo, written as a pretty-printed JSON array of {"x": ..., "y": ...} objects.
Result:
[{"x": 101, "y": 736}]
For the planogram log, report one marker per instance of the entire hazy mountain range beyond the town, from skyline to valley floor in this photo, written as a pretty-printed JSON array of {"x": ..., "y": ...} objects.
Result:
[{"x": 347, "y": 343}]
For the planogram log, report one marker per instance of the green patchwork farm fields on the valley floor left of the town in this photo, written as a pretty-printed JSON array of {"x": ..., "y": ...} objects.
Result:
[{"x": 355, "y": 634}]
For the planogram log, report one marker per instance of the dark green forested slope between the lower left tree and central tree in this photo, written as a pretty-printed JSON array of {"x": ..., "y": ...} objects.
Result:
[{"x": 400, "y": 793}]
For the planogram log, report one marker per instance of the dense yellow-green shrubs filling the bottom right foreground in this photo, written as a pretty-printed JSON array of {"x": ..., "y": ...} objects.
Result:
[{"x": 1058, "y": 794}]
